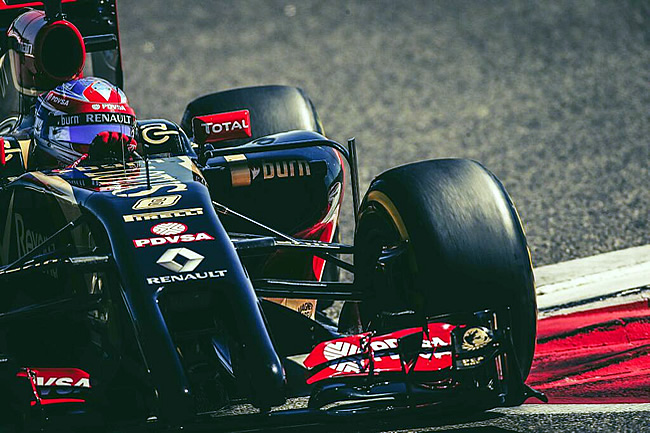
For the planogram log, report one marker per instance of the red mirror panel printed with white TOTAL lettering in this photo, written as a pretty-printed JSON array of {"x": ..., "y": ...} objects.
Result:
[{"x": 222, "y": 126}]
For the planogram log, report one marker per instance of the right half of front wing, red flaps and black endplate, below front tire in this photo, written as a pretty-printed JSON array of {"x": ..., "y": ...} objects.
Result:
[{"x": 450, "y": 358}]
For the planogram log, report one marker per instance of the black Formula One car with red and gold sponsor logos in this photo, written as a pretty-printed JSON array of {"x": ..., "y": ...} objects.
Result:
[{"x": 169, "y": 282}]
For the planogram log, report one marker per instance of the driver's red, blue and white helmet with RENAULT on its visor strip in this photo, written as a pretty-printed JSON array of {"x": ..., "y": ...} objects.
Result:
[{"x": 84, "y": 119}]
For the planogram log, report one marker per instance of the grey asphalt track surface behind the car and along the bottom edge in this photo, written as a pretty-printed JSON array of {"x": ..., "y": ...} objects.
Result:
[{"x": 553, "y": 97}]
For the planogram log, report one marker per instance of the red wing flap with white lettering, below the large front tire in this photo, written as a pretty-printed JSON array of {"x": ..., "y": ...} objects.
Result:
[{"x": 366, "y": 354}]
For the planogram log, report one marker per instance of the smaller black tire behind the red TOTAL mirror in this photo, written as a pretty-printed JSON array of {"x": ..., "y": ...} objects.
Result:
[{"x": 273, "y": 109}]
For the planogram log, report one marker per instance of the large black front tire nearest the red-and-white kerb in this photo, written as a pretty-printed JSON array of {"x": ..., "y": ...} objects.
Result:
[{"x": 463, "y": 248}]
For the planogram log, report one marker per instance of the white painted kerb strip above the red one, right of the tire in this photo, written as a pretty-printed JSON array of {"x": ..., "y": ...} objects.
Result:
[{"x": 603, "y": 275}]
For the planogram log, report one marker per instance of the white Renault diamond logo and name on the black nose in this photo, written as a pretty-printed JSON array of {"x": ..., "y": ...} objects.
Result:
[{"x": 183, "y": 261}]
